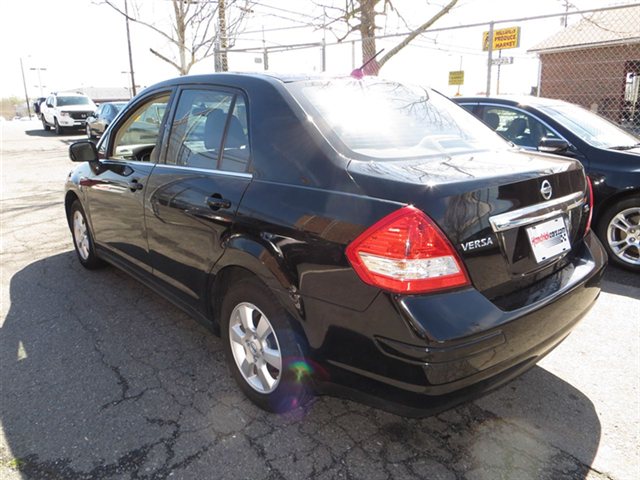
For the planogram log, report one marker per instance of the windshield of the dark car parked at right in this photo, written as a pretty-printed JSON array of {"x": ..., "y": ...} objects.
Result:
[{"x": 590, "y": 127}]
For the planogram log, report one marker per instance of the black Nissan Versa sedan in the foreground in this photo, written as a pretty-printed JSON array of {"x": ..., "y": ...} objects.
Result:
[{"x": 358, "y": 237}]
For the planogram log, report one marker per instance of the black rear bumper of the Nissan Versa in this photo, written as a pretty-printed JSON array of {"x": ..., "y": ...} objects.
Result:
[{"x": 465, "y": 344}]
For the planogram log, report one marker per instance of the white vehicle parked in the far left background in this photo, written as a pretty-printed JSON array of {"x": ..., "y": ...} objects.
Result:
[{"x": 66, "y": 110}]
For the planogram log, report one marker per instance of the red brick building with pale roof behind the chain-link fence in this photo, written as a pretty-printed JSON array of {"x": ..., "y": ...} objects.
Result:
[{"x": 596, "y": 63}]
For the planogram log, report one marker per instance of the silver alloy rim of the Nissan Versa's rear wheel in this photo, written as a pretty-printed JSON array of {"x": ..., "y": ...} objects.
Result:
[{"x": 255, "y": 347}]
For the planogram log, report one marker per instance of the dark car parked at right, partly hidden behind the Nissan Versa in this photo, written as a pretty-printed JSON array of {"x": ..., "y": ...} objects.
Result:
[{"x": 610, "y": 155}]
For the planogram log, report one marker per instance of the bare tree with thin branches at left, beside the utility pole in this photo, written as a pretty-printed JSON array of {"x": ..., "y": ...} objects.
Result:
[{"x": 194, "y": 32}]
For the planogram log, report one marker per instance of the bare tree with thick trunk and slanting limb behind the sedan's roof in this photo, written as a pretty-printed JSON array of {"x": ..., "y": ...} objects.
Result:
[{"x": 360, "y": 16}]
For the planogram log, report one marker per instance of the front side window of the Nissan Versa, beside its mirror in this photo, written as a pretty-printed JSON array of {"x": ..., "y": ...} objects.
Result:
[{"x": 137, "y": 136}]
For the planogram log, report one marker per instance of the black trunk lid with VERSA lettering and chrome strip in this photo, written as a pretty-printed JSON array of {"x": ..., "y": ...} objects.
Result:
[{"x": 494, "y": 206}]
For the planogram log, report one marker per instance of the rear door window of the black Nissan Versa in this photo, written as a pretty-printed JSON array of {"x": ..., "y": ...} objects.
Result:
[{"x": 198, "y": 137}]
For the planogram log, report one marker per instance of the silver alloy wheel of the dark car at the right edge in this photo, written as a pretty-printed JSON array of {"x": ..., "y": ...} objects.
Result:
[{"x": 623, "y": 236}]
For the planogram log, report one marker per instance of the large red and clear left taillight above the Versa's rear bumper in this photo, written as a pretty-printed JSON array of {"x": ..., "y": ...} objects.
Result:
[{"x": 406, "y": 252}]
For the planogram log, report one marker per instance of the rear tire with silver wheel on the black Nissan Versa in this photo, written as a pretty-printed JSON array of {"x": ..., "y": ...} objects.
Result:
[{"x": 264, "y": 355}]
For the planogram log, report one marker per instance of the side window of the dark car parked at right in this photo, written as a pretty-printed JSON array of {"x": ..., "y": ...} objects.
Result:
[{"x": 516, "y": 126}]
